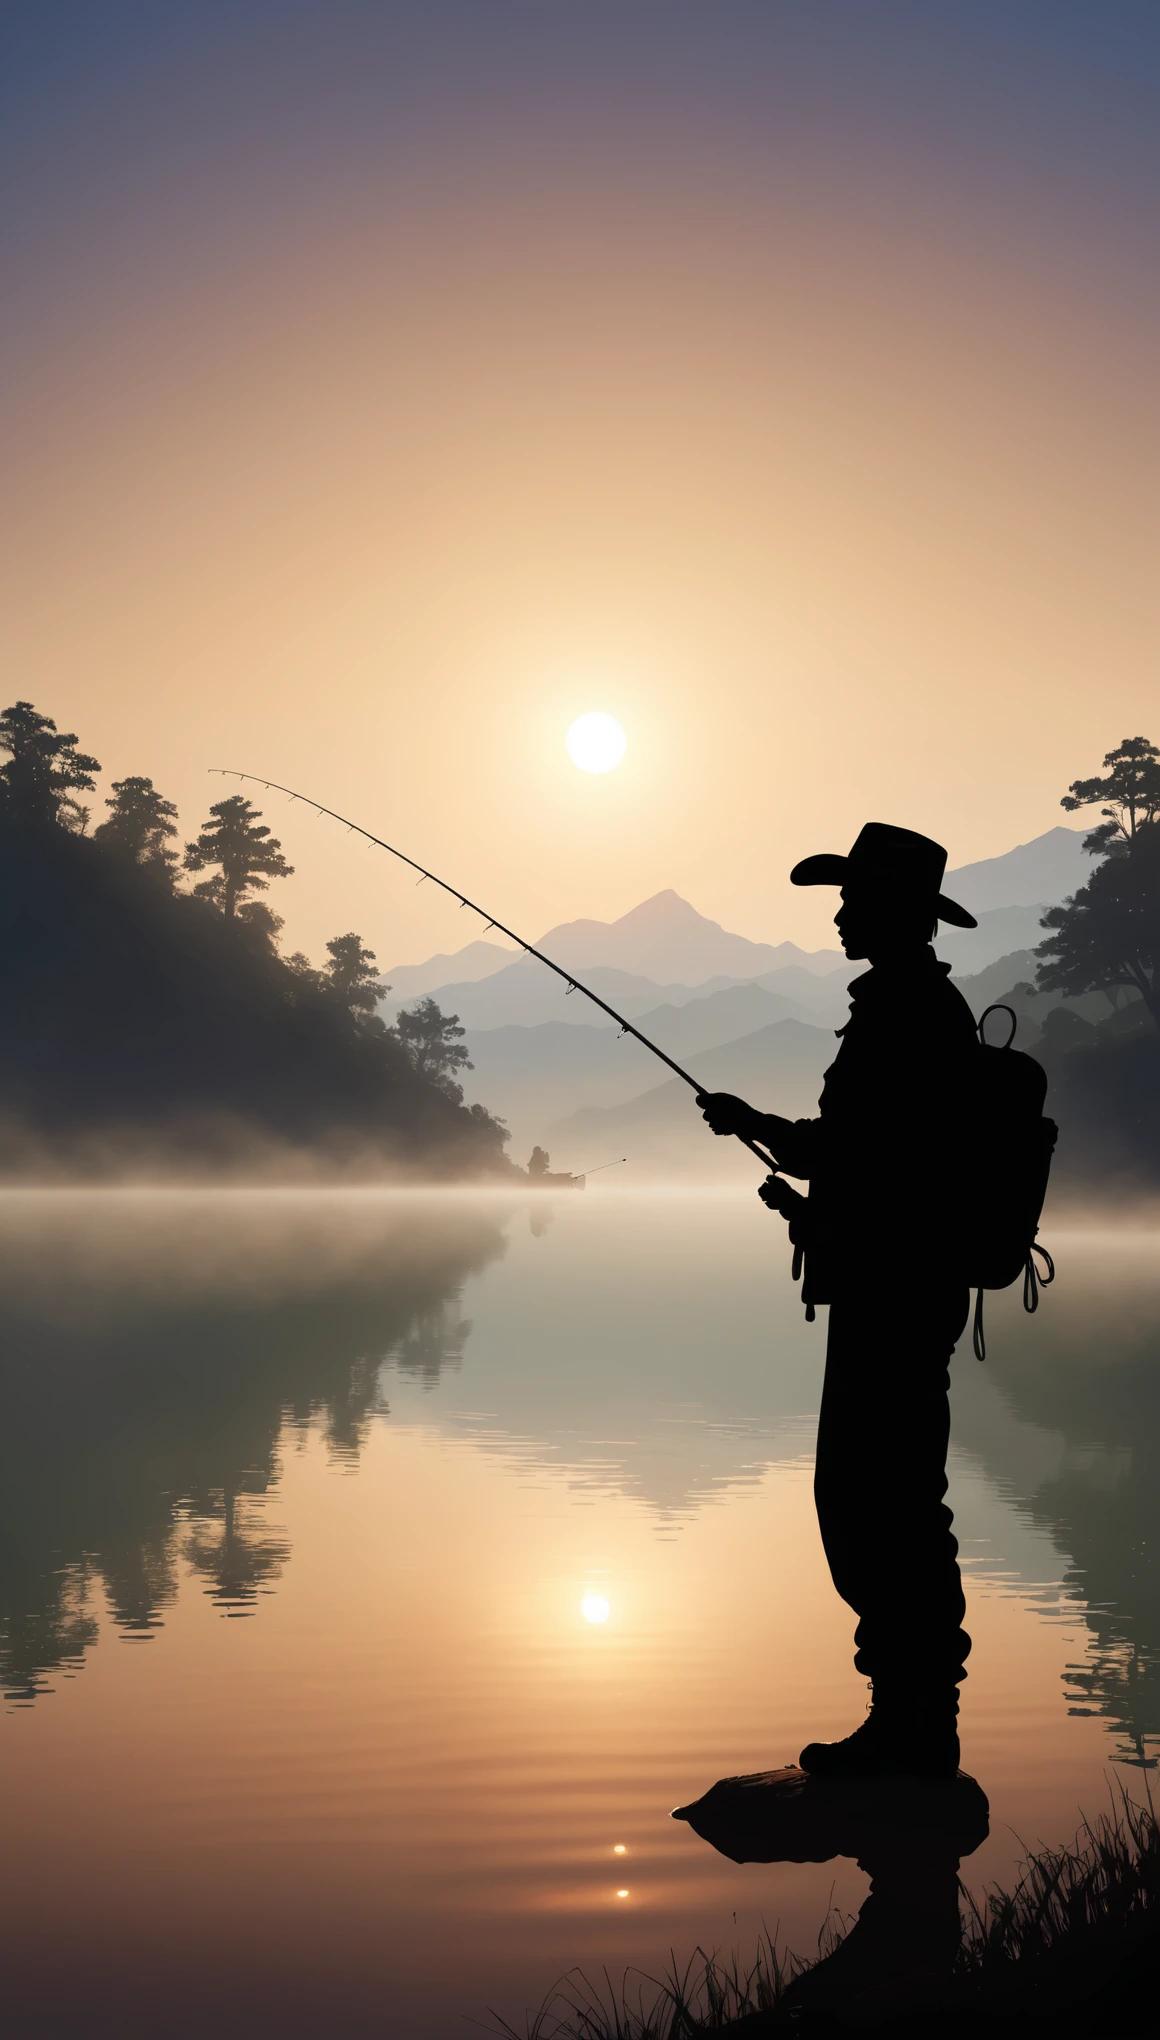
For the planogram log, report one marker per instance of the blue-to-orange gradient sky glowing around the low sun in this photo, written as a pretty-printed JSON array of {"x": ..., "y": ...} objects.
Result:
[{"x": 386, "y": 387}]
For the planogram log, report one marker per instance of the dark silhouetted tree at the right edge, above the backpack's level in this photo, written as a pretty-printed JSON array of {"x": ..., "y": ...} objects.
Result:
[{"x": 1110, "y": 931}]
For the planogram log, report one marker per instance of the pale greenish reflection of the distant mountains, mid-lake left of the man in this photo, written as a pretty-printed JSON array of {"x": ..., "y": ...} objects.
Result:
[{"x": 639, "y": 1347}]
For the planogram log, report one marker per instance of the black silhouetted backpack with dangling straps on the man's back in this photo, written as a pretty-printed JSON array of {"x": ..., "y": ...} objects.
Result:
[{"x": 1010, "y": 1162}]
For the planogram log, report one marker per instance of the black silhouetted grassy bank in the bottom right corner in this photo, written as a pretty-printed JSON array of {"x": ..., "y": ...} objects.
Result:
[{"x": 1073, "y": 1949}]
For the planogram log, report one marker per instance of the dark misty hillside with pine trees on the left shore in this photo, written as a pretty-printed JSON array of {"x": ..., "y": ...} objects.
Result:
[{"x": 148, "y": 1023}]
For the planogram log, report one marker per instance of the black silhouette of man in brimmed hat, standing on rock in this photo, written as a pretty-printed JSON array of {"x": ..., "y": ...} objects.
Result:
[{"x": 886, "y": 1168}]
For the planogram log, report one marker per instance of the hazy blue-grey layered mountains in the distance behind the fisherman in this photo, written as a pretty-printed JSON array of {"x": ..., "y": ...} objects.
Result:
[{"x": 739, "y": 1015}]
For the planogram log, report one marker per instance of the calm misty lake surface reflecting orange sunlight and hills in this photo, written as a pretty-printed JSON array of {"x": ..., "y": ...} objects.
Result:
[{"x": 378, "y": 1572}]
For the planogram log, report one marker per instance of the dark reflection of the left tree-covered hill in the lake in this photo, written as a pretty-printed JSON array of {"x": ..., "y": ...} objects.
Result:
[{"x": 152, "y": 1354}]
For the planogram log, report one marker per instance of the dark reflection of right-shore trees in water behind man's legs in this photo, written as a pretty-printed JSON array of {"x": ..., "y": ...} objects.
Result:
[{"x": 1088, "y": 1370}]
